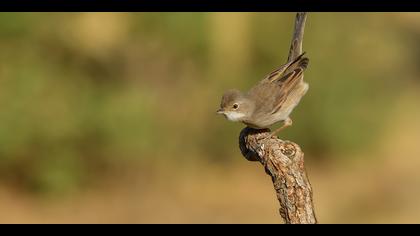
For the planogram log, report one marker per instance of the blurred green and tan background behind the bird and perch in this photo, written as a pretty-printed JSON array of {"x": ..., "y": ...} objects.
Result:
[{"x": 110, "y": 117}]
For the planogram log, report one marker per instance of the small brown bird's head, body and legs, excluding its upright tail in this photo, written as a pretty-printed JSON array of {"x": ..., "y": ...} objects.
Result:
[{"x": 271, "y": 100}]
